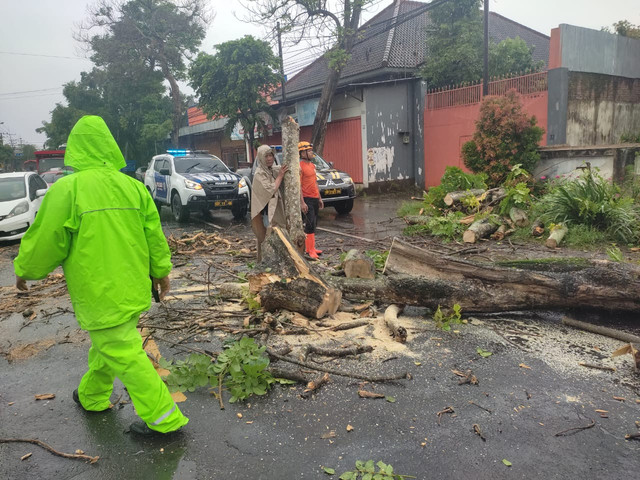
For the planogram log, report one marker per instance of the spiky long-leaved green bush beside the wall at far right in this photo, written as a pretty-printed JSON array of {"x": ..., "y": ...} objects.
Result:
[{"x": 594, "y": 202}]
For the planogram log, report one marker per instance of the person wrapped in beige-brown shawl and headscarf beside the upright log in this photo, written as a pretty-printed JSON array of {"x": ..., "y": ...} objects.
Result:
[{"x": 267, "y": 206}]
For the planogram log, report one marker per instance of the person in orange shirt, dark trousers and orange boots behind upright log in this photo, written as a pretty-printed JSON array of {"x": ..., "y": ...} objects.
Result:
[{"x": 310, "y": 195}]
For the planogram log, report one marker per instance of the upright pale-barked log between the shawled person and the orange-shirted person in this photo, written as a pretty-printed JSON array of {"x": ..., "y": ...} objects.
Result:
[{"x": 292, "y": 207}]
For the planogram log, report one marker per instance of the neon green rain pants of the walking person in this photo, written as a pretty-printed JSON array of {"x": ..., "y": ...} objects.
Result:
[{"x": 117, "y": 352}]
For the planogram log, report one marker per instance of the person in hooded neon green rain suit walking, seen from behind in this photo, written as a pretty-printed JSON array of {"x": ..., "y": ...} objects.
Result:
[{"x": 104, "y": 229}]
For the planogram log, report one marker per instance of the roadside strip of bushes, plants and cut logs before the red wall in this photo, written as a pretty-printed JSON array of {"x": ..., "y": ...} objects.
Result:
[{"x": 500, "y": 197}]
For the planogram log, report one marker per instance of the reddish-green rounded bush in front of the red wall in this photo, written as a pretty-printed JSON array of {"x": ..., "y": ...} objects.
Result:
[{"x": 504, "y": 136}]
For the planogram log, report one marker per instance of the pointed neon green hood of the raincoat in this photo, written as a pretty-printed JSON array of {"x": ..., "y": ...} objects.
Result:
[{"x": 91, "y": 145}]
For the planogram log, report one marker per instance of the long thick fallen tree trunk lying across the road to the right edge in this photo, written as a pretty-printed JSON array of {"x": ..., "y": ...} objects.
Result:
[{"x": 414, "y": 276}]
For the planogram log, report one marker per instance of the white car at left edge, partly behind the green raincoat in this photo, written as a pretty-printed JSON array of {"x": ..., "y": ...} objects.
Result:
[{"x": 20, "y": 198}]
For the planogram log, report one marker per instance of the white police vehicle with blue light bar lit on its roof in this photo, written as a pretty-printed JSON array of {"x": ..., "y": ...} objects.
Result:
[{"x": 195, "y": 182}]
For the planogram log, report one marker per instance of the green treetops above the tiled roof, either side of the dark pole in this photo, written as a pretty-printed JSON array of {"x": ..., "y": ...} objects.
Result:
[{"x": 454, "y": 48}]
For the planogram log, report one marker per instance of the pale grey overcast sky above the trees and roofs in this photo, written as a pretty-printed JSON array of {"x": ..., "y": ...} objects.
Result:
[{"x": 38, "y": 53}]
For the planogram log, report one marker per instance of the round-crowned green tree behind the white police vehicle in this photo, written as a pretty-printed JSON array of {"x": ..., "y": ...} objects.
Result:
[{"x": 236, "y": 83}]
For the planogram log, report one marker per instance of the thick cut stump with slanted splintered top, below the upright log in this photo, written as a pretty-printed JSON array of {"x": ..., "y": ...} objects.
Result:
[{"x": 285, "y": 280}]
